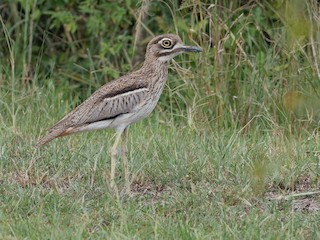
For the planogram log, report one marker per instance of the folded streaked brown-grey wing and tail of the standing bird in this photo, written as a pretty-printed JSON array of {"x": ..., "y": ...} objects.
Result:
[{"x": 109, "y": 101}]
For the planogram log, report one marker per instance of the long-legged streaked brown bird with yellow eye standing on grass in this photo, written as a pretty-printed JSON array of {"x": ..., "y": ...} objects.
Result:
[{"x": 124, "y": 101}]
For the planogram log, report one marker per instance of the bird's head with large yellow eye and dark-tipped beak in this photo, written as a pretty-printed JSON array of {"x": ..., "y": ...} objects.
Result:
[{"x": 167, "y": 46}]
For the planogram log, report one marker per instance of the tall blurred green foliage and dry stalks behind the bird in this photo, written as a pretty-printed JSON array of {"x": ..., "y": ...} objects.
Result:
[{"x": 260, "y": 58}]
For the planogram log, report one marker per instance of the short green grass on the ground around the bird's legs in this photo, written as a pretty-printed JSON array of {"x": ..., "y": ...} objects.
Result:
[{"x": 204, "y": 183}]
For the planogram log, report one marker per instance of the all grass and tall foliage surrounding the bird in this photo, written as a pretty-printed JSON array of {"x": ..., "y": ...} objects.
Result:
[{"x": 231, "y": 152}]
